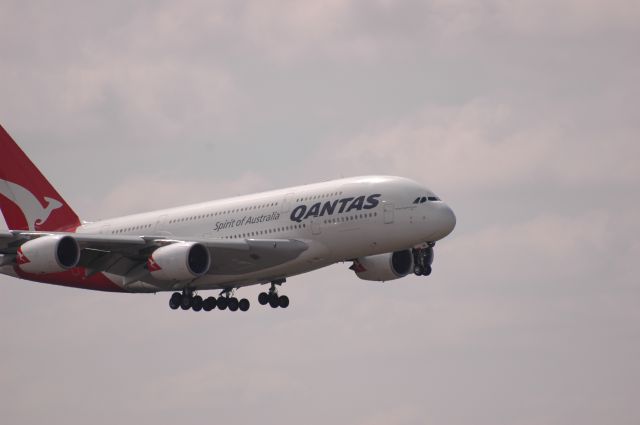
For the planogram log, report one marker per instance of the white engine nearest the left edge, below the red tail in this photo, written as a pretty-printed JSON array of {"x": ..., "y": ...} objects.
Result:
[{"x": 48, "y": 254}]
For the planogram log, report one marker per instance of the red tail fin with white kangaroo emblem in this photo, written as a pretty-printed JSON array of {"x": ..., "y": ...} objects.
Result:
[{"x": 27, "y": 199}]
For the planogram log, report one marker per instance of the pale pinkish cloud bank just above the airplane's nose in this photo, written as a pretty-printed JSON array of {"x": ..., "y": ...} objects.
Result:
[{"x": 488, "y": 145}]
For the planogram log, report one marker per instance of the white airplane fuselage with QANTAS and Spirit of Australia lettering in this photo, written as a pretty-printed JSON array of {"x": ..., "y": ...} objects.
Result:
[{"x": 339, "y": 220}]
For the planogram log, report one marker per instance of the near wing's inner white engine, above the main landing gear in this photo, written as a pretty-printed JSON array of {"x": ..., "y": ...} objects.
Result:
[{"x": 179, "y": 261}]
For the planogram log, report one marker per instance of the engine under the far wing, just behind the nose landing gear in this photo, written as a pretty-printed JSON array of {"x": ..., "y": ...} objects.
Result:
[{"x": 382, "y": 267}]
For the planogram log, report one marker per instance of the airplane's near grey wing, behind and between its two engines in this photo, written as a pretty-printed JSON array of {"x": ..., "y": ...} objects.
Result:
[{"x": 127, "y": 255}]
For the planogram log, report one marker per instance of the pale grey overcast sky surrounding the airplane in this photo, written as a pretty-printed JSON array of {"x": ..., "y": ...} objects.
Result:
[{"x": 522, "y": 115}]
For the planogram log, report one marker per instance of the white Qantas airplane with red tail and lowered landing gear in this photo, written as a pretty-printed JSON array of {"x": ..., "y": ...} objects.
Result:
[{"x": 385, "y": 226}]
